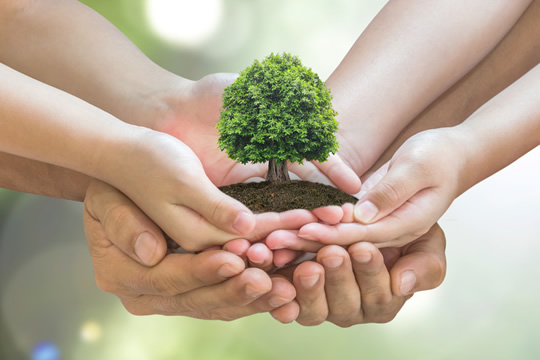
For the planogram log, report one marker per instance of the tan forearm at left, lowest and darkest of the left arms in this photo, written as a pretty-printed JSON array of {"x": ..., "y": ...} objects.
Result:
[{"x": 30, "y": 176}]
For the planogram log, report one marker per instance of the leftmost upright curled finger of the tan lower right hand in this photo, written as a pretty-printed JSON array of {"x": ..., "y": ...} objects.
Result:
[{"x": 308, "y": 279}]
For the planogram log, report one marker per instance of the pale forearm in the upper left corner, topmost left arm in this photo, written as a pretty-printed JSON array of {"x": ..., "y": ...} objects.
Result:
[{"x": 69, "y": 46}]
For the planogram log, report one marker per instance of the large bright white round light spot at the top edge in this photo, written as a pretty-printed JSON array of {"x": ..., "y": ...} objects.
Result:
[{"x": 184, "y": 22}]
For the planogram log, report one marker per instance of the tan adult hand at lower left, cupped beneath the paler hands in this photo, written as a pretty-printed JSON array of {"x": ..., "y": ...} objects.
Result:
[{"x": 128, "y": 252}]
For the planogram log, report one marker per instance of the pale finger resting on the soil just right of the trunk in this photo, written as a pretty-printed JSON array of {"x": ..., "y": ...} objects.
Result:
[{"x": 340, "y": 174}]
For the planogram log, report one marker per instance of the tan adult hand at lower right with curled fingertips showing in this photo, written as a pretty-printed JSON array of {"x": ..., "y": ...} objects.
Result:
[{"x": 364, "y": 284}]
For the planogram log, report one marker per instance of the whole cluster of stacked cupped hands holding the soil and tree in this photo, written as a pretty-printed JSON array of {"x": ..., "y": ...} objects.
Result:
[{"x": 369, "y": 257}]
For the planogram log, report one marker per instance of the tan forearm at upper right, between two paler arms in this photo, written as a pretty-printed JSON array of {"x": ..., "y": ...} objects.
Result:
[{"x": 516, "y": 54}]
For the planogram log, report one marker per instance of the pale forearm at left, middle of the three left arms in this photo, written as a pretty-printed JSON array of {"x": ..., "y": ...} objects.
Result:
[{"x": 45, "y": 124}]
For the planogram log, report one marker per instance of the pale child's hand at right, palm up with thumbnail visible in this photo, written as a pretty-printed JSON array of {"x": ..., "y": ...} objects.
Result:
[{"x": 403, "y": 199}]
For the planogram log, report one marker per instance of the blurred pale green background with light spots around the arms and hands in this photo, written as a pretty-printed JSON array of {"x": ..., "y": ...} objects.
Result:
[{"x": 486, "y": 308}]
